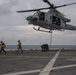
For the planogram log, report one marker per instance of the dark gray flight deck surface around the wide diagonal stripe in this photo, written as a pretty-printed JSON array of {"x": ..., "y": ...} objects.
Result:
[{"x": 35, "y": 60}]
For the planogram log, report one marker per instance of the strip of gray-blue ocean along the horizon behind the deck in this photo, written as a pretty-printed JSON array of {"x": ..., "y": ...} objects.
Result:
[{"x": 38, "y": 47}]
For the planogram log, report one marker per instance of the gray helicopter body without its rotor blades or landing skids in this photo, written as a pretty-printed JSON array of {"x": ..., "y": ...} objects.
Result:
[{"x": 52, "y": 20}]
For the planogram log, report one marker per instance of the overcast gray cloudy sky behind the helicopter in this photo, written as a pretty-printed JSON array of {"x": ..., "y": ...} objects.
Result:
[{"x": 13, "y": 25}]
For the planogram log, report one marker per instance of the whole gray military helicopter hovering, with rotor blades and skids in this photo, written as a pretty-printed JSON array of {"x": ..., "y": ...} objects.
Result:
[{"x": 52, "y": 20}]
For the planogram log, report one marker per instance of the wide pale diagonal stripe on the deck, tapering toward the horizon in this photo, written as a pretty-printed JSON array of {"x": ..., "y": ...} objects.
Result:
[{"x": 49, "y": 66}]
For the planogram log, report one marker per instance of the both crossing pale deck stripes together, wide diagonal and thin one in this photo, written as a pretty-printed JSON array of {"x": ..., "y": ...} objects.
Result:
[{"x": 47, "y": 69}]
